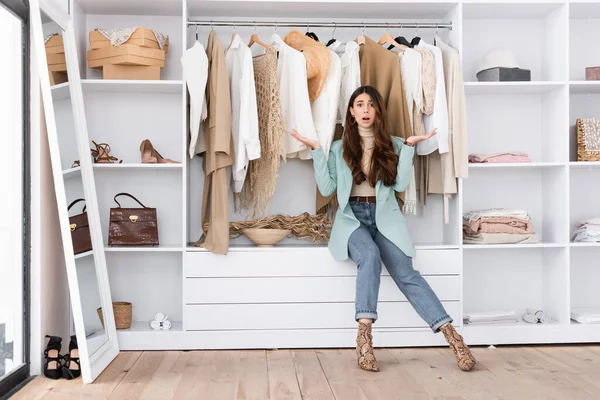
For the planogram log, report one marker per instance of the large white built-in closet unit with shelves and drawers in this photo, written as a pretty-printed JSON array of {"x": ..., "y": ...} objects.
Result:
[{"x": 295, "y": 295}]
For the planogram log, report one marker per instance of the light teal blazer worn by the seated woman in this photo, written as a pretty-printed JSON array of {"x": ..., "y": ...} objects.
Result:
[{"x": 334, "y": 174}]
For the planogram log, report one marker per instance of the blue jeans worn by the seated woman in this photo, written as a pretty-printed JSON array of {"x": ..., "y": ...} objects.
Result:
[{"x": 368, "y": 248}]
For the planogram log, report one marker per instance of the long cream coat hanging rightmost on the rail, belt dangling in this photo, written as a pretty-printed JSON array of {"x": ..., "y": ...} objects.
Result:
[{"x": 445, "y": 168}]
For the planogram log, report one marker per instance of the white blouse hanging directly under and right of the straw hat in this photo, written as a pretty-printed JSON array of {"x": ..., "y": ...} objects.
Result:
[{"x": 325, "y": 107}]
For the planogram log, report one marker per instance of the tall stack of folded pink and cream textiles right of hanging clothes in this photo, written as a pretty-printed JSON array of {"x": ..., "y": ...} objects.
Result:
[{"x": 497, "y": 226}]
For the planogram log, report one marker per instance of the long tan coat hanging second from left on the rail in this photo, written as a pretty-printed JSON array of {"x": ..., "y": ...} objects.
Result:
[{"x": 219, "y": 152}]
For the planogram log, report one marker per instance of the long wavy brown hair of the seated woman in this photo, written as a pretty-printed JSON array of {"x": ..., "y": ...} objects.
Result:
[{"x": 384, "y": 160}]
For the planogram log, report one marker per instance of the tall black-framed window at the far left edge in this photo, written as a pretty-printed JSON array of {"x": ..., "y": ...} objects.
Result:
[{"x": 14, "y": 201}]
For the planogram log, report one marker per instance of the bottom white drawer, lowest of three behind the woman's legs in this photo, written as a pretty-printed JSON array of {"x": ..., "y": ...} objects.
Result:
[{"x": 301, "y": 316}]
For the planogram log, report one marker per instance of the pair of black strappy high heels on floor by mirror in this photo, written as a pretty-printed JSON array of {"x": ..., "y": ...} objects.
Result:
[{"x": 59, "y": 366}]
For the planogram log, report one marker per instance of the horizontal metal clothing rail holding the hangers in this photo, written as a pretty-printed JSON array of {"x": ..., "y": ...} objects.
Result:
[{"x": 308, "y": 25}]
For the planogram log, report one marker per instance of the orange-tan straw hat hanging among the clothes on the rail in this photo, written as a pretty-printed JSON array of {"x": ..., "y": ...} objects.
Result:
[{"x": 317, "y": 60}]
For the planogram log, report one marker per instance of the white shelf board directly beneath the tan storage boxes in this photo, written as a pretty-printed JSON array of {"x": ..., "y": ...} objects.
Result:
[{"x": 132, "y": 86}]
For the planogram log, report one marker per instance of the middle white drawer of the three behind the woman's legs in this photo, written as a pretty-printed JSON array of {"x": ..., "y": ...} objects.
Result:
[{"x": 302, "y": 289}]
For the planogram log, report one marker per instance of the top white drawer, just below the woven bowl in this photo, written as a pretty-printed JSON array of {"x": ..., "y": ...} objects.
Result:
[{"x": 302, "y": 261}]
